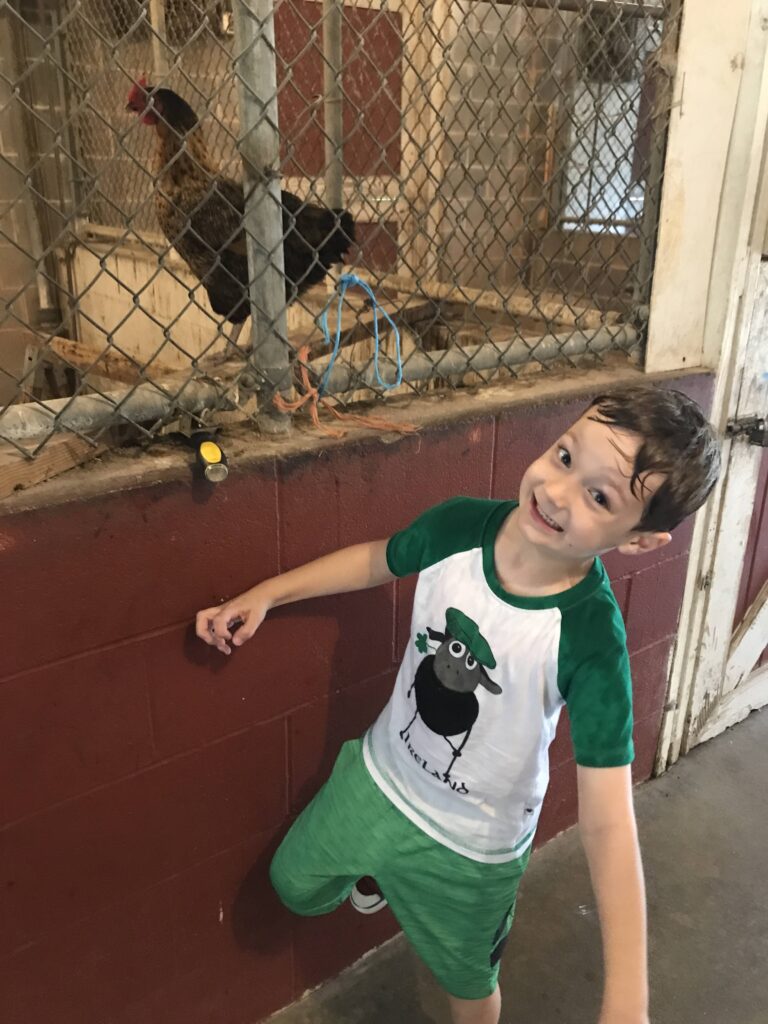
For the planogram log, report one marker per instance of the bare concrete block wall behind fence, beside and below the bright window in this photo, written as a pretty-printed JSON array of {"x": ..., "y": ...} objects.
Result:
[{"x": 507, "y": 101}]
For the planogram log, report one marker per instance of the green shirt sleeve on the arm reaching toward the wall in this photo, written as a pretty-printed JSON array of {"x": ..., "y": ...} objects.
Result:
[{"x": 457, "y": 525}]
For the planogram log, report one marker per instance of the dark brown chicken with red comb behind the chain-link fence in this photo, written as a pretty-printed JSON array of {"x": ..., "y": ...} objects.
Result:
[{"x": 201, "y": 212}]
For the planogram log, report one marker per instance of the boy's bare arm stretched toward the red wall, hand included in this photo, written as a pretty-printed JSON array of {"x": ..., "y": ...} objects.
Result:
[{"x": 358, "y": 568}]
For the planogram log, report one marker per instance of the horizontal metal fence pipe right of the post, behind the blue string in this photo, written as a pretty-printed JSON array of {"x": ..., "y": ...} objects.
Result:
[{"x": 456, "y": 362}]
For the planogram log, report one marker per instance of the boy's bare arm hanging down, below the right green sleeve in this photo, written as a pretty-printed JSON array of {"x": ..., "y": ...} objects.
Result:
[{"x": 607, "y": 822}]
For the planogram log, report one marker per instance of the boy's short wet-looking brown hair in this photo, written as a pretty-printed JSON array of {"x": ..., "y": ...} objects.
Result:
[{"x": 678, "y": 442}]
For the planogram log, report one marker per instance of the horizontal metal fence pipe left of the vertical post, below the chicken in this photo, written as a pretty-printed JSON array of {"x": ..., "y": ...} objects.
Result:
[{"x": 88, "y": 413}]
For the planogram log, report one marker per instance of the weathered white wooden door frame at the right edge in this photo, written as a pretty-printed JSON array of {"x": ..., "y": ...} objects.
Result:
[{"x": 709, "y": 310}]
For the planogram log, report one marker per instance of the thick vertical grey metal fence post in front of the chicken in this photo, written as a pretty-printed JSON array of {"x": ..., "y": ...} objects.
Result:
[{"x": 255, "y": 68}]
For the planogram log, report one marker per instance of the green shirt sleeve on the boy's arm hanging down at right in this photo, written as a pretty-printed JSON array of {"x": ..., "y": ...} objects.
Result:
[{"x": 596, "y": 685}]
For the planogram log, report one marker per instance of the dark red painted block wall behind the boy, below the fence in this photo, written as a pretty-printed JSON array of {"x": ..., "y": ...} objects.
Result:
[{"x": 145, "y": 781}]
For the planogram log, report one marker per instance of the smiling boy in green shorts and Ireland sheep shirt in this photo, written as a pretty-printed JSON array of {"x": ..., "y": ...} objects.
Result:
[{"x": 514, "y": 620}]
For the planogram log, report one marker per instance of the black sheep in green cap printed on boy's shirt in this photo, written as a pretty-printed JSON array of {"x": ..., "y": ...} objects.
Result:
[{"x": 446, "y": 682}]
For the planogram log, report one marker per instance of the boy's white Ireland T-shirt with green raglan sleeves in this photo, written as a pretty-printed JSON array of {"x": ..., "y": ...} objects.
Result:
[{"x": 461, "y": 748}]
